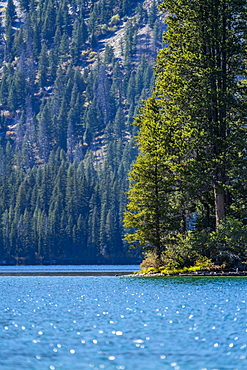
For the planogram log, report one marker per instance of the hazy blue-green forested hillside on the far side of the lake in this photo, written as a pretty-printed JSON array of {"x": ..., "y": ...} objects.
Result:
[{"x": 73, "y": 73}]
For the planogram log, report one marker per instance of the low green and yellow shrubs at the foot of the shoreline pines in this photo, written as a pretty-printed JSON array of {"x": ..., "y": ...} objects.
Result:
[{"x": 225, "y": 248}]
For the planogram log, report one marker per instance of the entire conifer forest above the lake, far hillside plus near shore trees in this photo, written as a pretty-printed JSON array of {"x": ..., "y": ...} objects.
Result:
[{"x": 123, "y": 123}]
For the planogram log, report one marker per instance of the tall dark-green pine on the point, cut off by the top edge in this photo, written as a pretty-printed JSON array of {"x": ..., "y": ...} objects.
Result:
[{"x": 209, "y": 96}]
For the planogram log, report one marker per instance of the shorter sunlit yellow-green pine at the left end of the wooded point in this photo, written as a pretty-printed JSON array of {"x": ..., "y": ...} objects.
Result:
[{"x": 152, "y": 208}]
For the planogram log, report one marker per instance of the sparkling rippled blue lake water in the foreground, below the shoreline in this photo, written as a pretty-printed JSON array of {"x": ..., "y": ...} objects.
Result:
[{"x": 70, "y": 323}]
